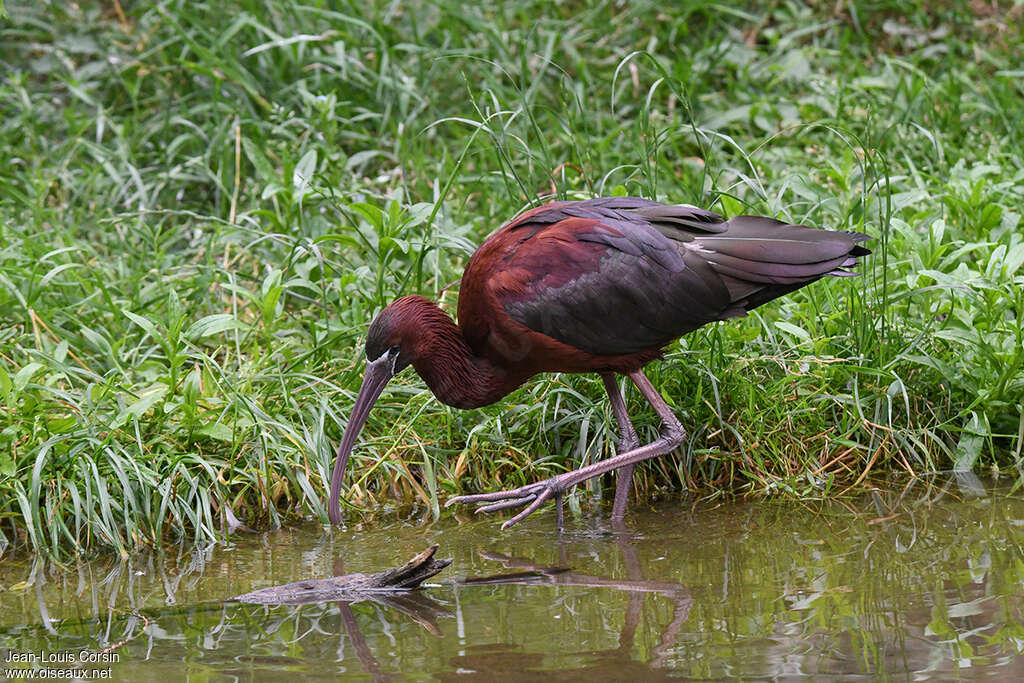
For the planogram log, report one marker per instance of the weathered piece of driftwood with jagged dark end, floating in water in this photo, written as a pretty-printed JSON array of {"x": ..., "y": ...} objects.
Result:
[{"x": 352, "y": 587}]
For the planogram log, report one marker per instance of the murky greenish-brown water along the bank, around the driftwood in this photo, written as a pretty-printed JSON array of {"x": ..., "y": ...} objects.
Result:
[{"x": 925, "y": 583}]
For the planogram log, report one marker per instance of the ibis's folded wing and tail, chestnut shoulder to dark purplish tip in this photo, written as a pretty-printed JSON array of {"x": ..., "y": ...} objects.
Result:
[{"x": 622, "y": 276}]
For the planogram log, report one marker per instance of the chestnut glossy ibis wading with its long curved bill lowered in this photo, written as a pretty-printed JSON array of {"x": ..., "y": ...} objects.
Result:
[{"x": 600, "y": 286}]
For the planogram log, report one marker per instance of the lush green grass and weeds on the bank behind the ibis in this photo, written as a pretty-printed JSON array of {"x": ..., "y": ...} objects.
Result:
[{"x": 204, "y": 204}]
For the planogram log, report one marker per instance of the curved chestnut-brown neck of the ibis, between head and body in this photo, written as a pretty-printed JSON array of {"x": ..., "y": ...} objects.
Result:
[{"x": 455, "y": 374}]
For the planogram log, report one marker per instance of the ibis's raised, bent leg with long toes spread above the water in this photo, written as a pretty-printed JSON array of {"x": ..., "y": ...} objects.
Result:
[{"x": 534, "y": 496}]
